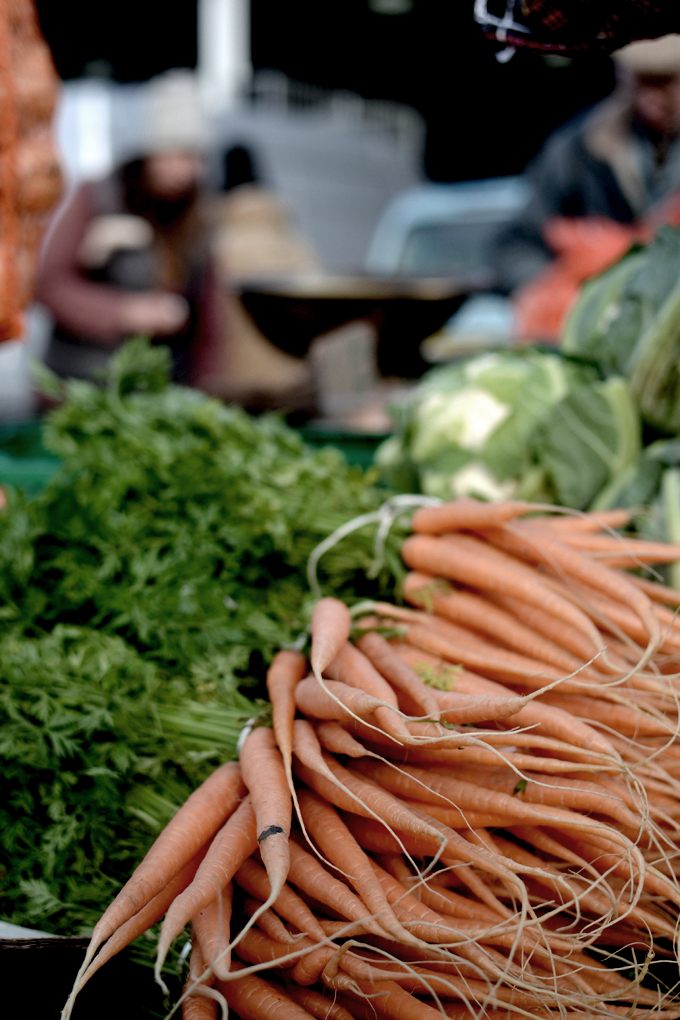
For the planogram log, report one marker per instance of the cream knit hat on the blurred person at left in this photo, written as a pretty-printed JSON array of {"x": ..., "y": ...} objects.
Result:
[{"x": 176, "y": 117}]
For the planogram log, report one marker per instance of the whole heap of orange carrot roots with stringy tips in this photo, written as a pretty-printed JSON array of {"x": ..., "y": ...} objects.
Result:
[{"x": 469, "y": 808}]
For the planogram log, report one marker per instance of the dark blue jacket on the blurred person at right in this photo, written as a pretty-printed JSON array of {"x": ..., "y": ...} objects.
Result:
[{"x": 599, "y": 165}]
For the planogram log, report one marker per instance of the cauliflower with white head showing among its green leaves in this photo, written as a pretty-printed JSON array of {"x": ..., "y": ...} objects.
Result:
[{"x": 526, "y": 424}]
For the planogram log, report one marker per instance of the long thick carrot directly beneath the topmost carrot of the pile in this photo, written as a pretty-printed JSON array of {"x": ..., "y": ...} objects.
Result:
[{"x": 481, "y": 566}]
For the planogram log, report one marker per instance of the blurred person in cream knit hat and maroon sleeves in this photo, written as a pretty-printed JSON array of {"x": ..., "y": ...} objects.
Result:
[{"x": 130, "y": 254}]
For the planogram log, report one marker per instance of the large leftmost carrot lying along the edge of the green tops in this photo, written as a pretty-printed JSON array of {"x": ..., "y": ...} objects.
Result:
[{"x": 198, "y": 820}]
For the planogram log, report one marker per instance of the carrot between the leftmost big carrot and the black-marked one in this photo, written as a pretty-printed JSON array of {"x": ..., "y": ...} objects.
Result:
[{"x": 233, "y": 845}]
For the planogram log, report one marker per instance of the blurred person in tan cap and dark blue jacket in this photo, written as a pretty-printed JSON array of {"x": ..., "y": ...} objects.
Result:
[{"x": 616, "y": 161}]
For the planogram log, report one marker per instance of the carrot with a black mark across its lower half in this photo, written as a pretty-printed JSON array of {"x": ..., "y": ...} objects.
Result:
[{"x": 264, "y": 773}]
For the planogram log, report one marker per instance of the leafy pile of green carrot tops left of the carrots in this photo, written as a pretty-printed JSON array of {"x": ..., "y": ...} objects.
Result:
[{"x": 140, "y": 593}]
